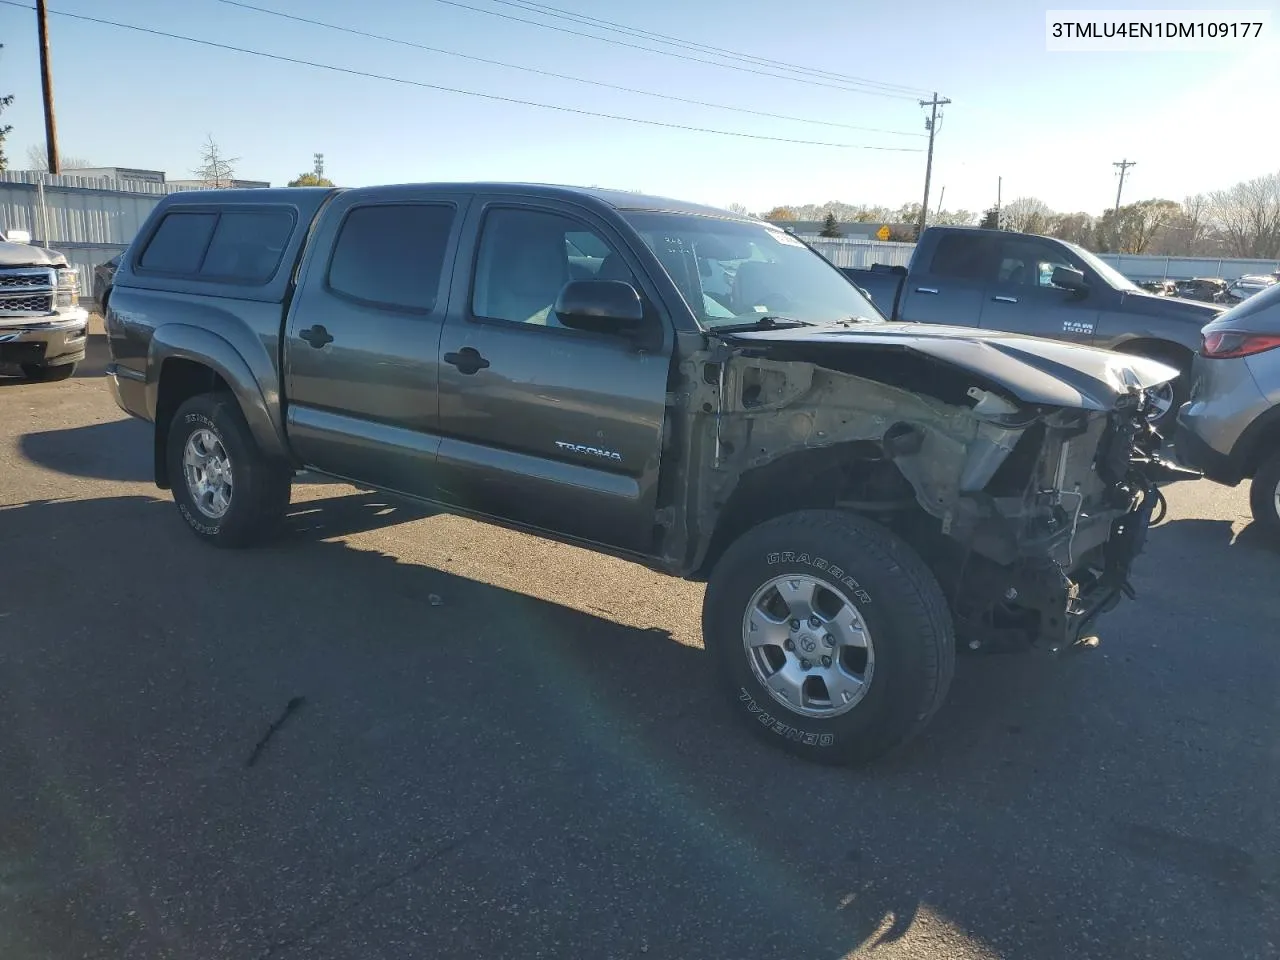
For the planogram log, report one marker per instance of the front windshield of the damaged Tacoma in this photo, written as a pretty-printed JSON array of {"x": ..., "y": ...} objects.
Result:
[{"x": 733, "y": 272}]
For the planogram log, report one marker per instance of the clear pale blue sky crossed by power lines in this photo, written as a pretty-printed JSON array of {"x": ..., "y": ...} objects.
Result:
[{"x": 1052, "y": 125}]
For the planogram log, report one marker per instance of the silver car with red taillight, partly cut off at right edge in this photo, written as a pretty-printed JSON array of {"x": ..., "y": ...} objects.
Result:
[{"x": 1231, "y": 427}]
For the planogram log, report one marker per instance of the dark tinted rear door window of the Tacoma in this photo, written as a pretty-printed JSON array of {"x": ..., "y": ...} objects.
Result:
[{"x": 392, "y": 255}]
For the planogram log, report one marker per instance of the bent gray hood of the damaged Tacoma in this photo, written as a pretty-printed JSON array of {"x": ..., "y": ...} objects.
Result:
[{"x": 1032, "y": 369}]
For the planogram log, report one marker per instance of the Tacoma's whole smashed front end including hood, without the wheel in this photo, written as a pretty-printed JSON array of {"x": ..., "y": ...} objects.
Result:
[{"x": 1028, "y": 491}]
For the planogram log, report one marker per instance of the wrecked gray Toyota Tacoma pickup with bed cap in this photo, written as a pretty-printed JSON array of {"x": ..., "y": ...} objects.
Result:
[{"x": 575, "y": 363}]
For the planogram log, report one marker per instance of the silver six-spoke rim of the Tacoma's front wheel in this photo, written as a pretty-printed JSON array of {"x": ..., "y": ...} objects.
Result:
[{"x": 808, "y": 646}]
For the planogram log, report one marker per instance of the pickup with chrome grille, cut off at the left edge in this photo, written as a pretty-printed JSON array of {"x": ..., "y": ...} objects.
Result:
[{"x": 43, "y": 326}]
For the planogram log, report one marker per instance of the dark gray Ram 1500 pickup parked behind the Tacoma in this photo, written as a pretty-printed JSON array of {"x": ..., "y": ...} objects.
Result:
[{"x": 1044, "y": 287}]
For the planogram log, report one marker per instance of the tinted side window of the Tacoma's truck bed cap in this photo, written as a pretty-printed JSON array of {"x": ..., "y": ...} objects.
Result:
[{"x": 239, "y": 246}]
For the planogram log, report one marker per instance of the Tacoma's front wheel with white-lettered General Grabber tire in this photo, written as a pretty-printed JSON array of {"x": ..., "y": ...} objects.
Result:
[{"x": 858, "y": 606}]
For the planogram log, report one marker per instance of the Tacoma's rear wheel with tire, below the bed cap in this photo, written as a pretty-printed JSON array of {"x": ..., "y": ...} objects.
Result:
[{"x": 226, "y": 490}]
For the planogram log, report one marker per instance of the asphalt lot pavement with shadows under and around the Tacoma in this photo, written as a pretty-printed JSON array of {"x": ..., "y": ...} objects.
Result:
[{"x": 404, "y": 735}]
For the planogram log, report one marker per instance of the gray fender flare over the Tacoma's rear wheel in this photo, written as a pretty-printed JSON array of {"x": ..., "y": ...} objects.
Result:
[{"x": 200, "y": 346}]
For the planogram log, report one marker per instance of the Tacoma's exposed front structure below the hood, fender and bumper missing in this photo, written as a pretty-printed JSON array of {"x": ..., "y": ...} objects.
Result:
[{"x": 1031, "y": 516}]
